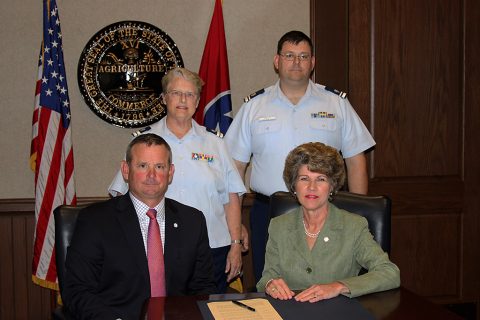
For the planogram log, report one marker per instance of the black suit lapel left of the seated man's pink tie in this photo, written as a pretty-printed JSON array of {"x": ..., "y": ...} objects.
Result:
[{"x": 128, "y": 221}]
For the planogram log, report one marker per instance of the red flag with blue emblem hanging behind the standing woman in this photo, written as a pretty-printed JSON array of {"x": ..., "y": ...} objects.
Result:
[{"x": 215, "y": 107}]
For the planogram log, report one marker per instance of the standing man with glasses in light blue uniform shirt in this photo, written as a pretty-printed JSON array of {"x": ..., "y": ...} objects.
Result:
[{"x": 293, "y": 111}]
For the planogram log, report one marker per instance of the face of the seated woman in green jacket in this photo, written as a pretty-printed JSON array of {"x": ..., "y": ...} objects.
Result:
[{"x": 312, "y": 189}]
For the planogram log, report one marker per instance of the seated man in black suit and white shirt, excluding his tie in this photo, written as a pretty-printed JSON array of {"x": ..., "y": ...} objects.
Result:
[{"x": 107, "y": 273}]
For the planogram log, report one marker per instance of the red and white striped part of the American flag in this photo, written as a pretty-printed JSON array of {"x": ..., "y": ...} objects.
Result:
[{"x": 54, "y": 185}]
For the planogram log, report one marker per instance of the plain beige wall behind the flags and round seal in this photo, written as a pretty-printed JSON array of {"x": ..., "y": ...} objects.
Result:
[{"x": 252, "y": 29}]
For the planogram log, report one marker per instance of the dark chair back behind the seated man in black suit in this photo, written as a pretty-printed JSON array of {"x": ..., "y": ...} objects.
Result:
[{"x": 65, "y": 221}]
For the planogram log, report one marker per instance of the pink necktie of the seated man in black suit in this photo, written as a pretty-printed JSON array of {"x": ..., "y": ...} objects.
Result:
[{"x": 156, "y": 263}]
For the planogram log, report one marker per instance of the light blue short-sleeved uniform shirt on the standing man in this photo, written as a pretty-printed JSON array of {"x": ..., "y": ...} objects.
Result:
[{"x": 269, "y": 126}]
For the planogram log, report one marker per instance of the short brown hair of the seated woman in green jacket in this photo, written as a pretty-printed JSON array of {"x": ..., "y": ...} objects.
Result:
[{"x": 318, "y": 158}]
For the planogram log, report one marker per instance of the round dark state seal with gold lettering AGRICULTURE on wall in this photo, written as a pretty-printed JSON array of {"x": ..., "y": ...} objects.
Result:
[{"x": 120, "y": 72}]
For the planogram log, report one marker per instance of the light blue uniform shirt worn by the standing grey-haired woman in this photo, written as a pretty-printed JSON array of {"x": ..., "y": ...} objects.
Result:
[{"x": 204, "y": 176}]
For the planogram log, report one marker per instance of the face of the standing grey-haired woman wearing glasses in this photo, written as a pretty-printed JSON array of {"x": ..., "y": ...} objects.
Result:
[{"x": 181, "y": 99}]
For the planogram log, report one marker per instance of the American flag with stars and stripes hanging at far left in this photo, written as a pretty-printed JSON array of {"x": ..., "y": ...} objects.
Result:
[{"x": 51, "y": 155}]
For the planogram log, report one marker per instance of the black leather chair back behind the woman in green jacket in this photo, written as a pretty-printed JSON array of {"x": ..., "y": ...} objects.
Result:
[{"x": 376, "y": 209}]
